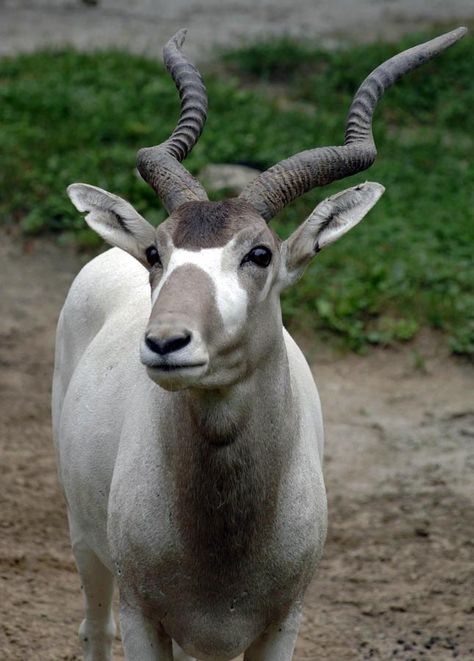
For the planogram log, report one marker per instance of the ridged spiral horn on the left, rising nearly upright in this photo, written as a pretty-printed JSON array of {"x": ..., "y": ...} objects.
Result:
[{"x": 160, "y": 166}]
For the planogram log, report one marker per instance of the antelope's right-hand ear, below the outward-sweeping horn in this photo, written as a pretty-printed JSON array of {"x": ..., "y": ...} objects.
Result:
[{"x": 331, "y": 219}]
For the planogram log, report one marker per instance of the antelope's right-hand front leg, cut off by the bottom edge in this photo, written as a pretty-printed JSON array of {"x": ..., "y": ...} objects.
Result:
[{"x": 278, "y": 641}]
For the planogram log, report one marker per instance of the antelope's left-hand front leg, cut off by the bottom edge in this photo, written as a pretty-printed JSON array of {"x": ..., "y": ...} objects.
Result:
[{"x": 143, "y": 640}]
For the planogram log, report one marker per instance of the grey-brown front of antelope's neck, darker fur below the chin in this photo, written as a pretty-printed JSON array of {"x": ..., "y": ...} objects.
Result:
[{"x": 227, "y": 455}]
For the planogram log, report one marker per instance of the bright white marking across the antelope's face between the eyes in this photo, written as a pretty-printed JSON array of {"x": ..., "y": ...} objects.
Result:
[{"x": 231, "y": 298}]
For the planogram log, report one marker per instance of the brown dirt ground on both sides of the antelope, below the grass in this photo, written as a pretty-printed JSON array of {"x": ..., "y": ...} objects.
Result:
[{"x": 397, "y": 577}]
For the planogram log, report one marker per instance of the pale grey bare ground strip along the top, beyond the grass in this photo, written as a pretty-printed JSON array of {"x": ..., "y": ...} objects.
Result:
[{"x": 143, "y": 26}]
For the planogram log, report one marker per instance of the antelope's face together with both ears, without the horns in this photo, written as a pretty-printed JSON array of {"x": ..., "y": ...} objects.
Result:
[{"x": 216, "y": 271}]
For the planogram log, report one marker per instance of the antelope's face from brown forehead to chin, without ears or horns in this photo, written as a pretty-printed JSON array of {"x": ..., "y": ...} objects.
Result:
[{"x": 213, "y": 267}]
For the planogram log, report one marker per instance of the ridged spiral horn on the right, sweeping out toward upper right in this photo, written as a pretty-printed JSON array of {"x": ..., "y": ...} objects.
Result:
[{"x": 287, "y": 180}]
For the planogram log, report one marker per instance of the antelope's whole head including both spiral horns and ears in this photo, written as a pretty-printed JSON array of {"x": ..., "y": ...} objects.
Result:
[{"x": 216, "y": 269}]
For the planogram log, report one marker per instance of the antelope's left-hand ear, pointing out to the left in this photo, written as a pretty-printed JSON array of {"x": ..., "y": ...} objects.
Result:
[{"x": 114, "y": 219}]
